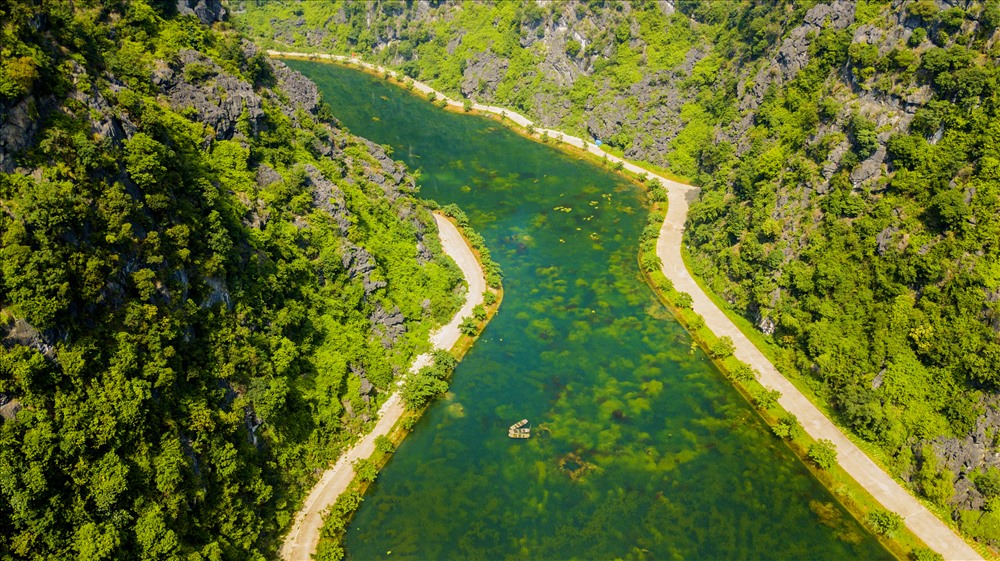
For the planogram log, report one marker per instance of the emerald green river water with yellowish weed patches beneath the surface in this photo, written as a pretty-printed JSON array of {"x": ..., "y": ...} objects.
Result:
[{"x": 640, "y": 448}]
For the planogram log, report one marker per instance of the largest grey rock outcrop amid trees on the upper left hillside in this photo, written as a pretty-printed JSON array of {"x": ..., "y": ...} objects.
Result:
[{"x": 219, "y": 99}]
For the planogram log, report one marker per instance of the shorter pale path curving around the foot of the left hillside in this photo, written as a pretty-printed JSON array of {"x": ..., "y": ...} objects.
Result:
[{"x": 304, "y": 536}]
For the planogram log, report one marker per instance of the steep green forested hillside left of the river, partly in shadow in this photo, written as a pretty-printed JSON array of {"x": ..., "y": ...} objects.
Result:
[{"x": 207, "y": 285}]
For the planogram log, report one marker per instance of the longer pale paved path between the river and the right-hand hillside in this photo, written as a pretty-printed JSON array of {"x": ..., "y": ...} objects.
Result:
[{"x": 870, "y": 477}]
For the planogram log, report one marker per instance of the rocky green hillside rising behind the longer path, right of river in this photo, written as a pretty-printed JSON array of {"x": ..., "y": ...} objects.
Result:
[{"x": 849, "y": 157}]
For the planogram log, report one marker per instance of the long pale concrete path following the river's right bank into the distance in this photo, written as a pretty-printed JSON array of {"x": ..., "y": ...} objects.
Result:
[{"x": 866, "y": 474}]
